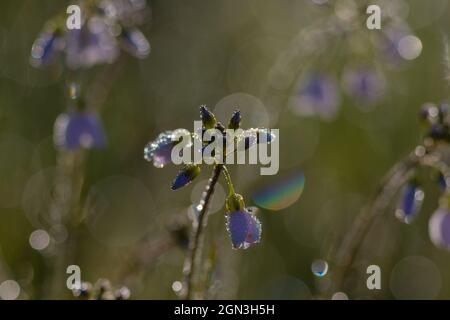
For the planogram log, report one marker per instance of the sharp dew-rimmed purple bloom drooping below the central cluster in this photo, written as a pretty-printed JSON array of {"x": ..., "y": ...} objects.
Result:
[{"x": 244, "y": 228}]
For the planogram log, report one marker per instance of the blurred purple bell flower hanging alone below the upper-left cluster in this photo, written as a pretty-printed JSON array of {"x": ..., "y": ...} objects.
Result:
[{"x": 76, "y": 130}]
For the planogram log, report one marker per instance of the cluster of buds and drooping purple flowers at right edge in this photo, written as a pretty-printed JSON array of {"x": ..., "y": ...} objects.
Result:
[{"x": 432, "y": 154}]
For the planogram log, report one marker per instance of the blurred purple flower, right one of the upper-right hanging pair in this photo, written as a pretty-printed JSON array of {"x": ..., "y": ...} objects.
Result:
[{"x": 364, "y": 83}]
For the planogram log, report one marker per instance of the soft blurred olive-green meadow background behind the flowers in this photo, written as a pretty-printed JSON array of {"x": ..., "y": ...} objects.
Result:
[{"x": 223, "y": 54}]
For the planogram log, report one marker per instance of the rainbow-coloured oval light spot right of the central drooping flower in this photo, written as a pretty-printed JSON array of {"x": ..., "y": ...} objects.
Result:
[{"x": 282, "y": 193}]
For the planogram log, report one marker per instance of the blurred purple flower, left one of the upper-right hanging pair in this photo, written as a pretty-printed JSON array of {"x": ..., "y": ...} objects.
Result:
[{"x": 317, "y": 95}]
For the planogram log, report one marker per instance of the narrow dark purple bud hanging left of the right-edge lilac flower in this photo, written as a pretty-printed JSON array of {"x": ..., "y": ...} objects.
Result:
[{"x": 410, "y": 202}]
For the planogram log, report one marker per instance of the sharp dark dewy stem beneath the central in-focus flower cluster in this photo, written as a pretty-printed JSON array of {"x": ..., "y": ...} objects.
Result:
[{"x": 197, "y": 236}]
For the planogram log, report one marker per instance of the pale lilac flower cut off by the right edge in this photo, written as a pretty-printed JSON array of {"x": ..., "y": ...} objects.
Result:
[{"x": 439, "y": 228}]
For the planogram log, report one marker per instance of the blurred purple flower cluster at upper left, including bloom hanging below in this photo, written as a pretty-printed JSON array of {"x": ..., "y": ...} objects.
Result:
[{"x": 107, "y": 26}]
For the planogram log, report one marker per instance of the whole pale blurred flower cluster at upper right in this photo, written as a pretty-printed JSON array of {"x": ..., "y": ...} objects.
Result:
[{"x": 319, "y": 92}]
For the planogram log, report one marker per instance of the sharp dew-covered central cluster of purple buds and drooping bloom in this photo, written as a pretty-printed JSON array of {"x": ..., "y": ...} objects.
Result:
[{"x": 241, "y": 221}]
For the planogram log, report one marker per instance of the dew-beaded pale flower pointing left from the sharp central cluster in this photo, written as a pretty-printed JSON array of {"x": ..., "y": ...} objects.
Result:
[{"x": 159, "y": 151}]
